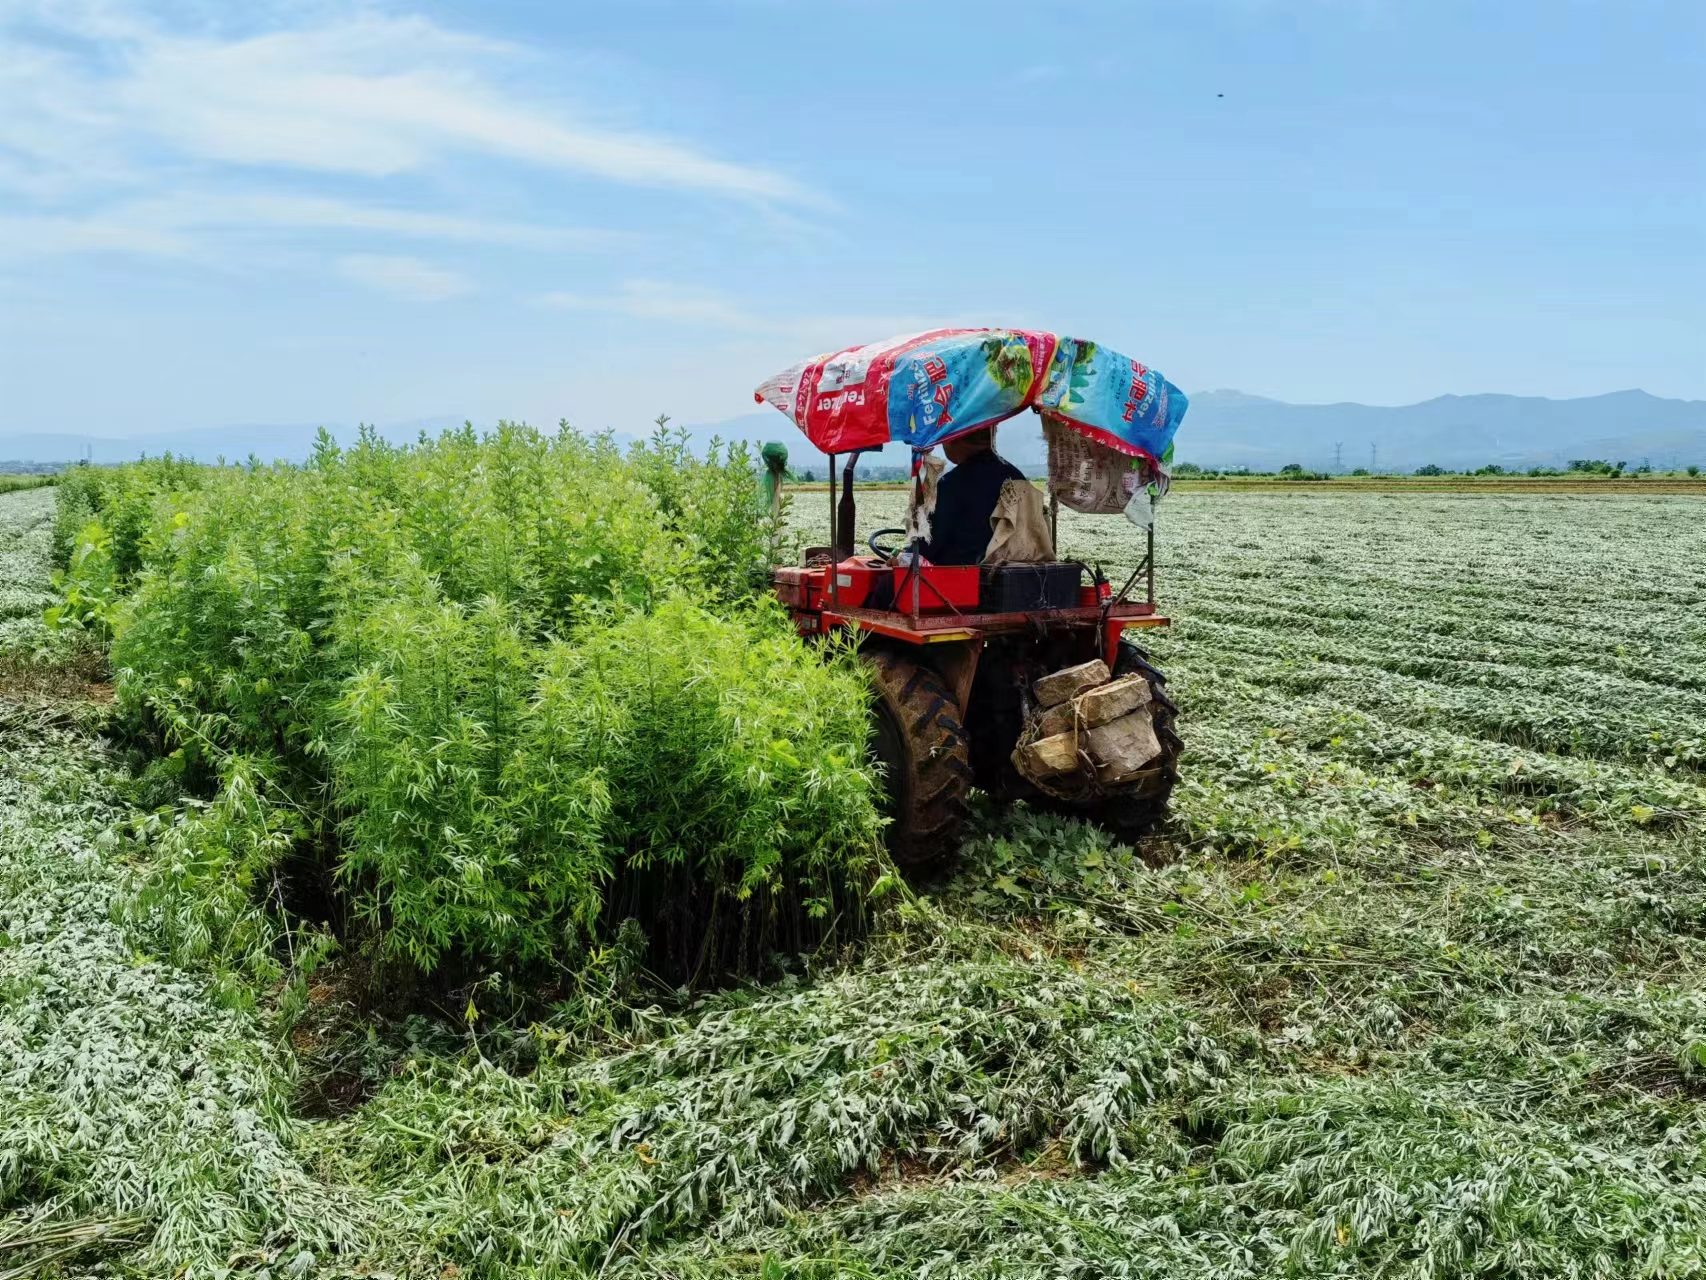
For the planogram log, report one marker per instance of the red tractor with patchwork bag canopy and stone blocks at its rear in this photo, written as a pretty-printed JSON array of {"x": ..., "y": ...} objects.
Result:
[{"x": 1016, "y": 678}]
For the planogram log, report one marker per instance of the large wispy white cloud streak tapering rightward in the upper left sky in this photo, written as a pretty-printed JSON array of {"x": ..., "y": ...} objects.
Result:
[{"x": 368, "y": 96}]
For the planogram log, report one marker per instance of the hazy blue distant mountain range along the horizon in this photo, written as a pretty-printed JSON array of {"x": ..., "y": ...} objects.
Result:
[{"x": 1224, "y": 429}]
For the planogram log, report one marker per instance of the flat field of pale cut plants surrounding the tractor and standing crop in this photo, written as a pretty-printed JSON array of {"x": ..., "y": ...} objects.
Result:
[{"x": 1413, "y": 986}]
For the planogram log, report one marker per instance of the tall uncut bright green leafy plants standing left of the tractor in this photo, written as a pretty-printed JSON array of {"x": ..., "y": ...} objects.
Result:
[{"x": 506, "y": 690}]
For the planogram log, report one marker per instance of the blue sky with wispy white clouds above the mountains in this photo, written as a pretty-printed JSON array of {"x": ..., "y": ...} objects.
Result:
[{"x": 334, "y": 212}]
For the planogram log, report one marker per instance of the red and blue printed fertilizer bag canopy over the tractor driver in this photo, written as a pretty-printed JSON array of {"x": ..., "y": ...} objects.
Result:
[{"x": 927, "y": 388}]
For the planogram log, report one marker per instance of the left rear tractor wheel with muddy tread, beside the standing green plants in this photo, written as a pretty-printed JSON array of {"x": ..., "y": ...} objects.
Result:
[{"x": 920, "y": 743}]
